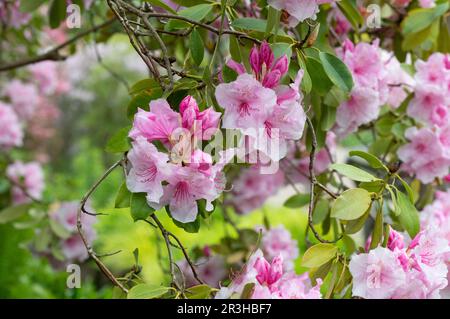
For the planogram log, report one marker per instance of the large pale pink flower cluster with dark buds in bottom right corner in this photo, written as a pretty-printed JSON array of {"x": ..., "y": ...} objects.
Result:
[{"x": 418, "y": 270}]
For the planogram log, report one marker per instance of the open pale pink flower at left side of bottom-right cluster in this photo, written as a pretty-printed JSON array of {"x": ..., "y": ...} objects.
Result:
[{"x": 377, "y": 274}]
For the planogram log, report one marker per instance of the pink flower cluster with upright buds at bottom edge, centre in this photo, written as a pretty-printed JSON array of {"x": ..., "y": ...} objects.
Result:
[{"x": 270, "y": 281}]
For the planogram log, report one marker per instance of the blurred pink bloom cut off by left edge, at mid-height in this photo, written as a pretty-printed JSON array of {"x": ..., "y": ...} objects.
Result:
[{"x": 11, "y": 133}]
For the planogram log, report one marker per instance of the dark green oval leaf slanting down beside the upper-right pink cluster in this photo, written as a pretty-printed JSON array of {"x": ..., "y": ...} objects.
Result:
[{"x": 337, "y": 71}]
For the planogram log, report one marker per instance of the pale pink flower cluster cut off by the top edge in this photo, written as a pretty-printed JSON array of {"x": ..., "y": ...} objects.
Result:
[{"x": 298, "y": 10}]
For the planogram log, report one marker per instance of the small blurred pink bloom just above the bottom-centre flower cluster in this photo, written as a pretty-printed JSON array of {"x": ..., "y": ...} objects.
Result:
[{"x": 278, "y": 241}]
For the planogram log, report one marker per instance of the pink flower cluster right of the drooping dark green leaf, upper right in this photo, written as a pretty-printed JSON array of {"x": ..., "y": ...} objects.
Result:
[{"x": 378, "y": 78}]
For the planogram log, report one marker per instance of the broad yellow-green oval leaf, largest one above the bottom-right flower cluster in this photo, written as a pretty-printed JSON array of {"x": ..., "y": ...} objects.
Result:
[{"x": 351, "y": 204}]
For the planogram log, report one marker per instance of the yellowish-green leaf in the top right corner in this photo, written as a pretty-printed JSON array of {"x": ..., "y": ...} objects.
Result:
[{"x": 421, "y": 18}]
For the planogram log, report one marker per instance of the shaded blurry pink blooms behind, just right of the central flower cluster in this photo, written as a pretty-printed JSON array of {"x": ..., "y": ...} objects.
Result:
[{"x": 251, "y": 189}]
